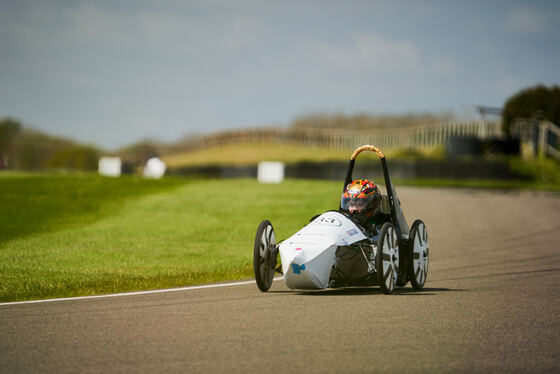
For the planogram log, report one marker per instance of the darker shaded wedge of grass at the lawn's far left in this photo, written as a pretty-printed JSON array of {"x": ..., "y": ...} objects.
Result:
[{"x": 34, "y": 203}]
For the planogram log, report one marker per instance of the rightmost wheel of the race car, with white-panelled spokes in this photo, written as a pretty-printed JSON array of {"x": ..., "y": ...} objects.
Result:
[{"x": 419, "y": 255}]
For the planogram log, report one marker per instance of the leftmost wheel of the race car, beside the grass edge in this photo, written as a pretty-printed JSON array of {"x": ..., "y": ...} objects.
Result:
[{"x": 263, "y": 252}]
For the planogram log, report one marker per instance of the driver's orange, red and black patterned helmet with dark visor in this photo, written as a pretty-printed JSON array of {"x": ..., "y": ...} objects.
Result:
[{"x": 361, "y": 198}]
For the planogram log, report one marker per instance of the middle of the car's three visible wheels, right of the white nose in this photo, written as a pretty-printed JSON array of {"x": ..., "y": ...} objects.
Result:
[{"x": 387, "y": 258}]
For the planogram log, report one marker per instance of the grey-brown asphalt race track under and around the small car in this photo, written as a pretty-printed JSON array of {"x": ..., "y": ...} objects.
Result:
[{"x": 491, "y": 304}]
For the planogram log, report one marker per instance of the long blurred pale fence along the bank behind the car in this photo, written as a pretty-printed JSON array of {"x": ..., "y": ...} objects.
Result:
[{"x": 405, "y": 137}]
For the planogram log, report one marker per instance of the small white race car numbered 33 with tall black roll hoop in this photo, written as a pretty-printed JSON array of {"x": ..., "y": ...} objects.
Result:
[{"x": 337, "y": 250}]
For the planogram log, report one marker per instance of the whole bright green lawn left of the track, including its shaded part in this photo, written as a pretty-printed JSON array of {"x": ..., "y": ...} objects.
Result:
[{"x": 68, "y": 236}]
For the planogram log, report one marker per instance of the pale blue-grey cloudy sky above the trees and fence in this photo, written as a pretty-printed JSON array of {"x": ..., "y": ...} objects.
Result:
[{"x": 111, "y": 73}]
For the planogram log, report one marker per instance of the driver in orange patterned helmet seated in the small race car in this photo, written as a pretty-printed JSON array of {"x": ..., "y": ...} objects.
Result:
[{"x": 362, "y": 200}]
